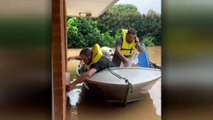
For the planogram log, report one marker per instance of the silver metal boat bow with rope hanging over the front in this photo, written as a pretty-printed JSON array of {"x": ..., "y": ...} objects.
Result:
[{"x": 117, "y": 85}]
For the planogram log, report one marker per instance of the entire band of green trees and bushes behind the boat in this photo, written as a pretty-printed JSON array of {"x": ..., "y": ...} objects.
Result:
[{"x": 85, "y": 32}]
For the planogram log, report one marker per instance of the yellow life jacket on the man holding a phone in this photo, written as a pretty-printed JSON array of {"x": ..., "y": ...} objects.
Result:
[{"x": 127, "y": 49}]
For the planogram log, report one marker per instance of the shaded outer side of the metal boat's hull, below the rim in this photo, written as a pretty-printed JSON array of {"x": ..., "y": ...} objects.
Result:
[{"x": 120, "y": 93}]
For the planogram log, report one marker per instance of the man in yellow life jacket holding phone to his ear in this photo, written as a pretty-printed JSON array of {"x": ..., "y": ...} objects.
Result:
[{"x": 125, "y": 47}]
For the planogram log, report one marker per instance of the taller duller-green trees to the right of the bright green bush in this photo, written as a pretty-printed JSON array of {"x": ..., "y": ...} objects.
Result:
[{"x": 125, "y": 16}]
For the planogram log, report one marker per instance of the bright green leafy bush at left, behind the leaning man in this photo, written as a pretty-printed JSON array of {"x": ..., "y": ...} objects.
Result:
[{"x": 82, "y": 32}]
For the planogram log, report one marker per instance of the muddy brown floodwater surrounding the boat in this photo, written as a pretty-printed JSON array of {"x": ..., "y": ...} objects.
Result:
[{"x": 90, "y": 107}]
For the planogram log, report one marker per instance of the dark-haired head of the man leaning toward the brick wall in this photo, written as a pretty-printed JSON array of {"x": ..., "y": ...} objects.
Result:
[{"x": 86, "y": 55}]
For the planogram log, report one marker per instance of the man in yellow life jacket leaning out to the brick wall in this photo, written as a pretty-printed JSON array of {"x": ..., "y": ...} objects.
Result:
[{"x": 94, "y": 62}]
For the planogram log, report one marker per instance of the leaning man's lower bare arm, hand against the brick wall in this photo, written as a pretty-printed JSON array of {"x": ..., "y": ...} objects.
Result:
[{"x": 81, "y": 79}]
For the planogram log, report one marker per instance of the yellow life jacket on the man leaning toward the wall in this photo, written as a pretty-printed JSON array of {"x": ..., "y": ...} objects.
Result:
[{"x": 96, "y": 55}]
